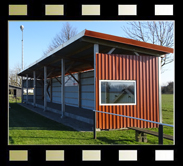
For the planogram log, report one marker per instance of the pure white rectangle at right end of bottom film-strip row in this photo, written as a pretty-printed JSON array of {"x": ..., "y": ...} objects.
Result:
[{"x": 164, "y": 155}]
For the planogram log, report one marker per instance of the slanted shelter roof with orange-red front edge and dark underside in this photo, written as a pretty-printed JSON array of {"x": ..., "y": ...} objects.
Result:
[{"x": 78, "y": 53}]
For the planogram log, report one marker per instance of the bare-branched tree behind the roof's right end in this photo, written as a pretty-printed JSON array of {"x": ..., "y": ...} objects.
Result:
[{"x": 160, "y": 33}]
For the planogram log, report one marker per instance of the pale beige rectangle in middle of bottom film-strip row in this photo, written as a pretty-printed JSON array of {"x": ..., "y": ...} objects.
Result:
[{"x": 91, "y": 155}]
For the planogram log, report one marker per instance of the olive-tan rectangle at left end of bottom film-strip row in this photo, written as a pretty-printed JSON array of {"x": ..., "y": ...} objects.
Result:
[{"x": 18, "y": 155}]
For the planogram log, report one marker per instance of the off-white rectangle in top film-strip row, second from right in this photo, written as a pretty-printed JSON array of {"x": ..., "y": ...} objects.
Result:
[{"x": 127, "y": 9}]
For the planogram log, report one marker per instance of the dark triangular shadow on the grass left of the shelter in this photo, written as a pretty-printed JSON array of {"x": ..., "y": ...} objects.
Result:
[{"x": 23, "y": 119}]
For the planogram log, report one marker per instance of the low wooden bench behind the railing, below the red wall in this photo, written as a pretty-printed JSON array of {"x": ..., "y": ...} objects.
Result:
[{"x": 140, "y": 134}]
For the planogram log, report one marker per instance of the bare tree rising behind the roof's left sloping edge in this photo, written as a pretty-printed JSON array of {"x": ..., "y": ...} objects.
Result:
[{"x": 65, "y": 34}]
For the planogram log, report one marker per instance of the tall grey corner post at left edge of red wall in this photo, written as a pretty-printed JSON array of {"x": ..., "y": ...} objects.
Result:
[{"x": 96, "y": 50}]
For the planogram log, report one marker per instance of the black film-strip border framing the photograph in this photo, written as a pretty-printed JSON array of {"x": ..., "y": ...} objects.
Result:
[{"x": 109, "y": 153}]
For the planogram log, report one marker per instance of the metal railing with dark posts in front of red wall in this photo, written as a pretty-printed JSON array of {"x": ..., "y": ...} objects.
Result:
[{"x": 160, "y": 124}]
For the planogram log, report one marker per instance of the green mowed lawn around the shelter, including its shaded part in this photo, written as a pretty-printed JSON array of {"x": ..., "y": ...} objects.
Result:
[{"x": 29, "y": 128}]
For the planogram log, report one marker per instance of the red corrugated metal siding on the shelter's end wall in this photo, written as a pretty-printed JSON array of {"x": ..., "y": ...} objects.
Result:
[{"x": 143, "y": 69}]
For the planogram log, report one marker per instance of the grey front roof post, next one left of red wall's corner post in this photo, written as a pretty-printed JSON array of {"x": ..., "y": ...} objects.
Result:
[{"x": 63, "y": 86}]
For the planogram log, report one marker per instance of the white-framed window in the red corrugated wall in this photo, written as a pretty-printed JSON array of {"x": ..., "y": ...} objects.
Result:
[{"x": 117, "y": 92}]
